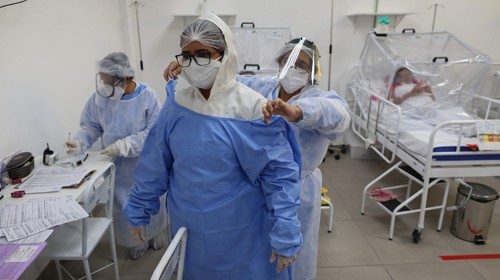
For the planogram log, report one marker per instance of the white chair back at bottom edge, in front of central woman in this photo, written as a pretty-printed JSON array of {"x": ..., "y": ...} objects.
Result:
[{"x": 172, "y": 258}]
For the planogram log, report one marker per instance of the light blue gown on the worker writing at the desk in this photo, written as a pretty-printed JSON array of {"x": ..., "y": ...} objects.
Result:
[{"x": 128, "y": 119}]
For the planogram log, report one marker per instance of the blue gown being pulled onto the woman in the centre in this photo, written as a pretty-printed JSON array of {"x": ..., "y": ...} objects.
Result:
[{"x": 234, "y": 184}]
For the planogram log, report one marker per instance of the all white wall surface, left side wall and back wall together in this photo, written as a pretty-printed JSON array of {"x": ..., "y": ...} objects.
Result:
[{"x": 49, "y": 48}]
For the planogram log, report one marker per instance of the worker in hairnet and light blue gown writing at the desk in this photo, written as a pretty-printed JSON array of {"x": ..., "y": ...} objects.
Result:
[{"x": 120, "y": 113}]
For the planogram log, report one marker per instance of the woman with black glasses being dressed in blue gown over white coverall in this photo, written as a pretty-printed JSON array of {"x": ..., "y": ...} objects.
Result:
[{"x": 232, "y": 180}]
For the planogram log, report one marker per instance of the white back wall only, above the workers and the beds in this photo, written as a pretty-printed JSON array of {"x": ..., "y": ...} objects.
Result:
[{"x": 160, "y": 29}]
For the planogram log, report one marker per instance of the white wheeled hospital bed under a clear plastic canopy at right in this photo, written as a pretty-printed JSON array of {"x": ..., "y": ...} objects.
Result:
[{"x": 428, "y": 154}]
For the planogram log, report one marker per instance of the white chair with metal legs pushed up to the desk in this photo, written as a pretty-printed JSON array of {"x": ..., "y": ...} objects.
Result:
[{"x": 77, "y": 240}]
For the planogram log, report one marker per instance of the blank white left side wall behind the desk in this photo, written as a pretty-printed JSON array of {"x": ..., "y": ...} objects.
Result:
[{"x": 48, "y": 54}]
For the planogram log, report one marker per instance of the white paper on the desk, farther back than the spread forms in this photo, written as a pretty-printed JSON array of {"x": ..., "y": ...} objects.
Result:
[{"x": 53, "y": 179}]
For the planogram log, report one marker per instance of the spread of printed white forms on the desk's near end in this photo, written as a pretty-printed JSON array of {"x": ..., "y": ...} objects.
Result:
[{"x": 35, "y": 216}]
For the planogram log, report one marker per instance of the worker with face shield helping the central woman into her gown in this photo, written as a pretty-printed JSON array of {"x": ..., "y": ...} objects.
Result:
[{"x": 318, "y": 117}]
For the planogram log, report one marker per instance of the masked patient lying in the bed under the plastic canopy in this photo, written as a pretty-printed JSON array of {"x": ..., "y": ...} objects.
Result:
[{"x": 416, "y": 98}]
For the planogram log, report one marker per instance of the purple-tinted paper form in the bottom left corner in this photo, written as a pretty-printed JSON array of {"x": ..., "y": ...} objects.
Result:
[{"x": 25, "y": 254}]
